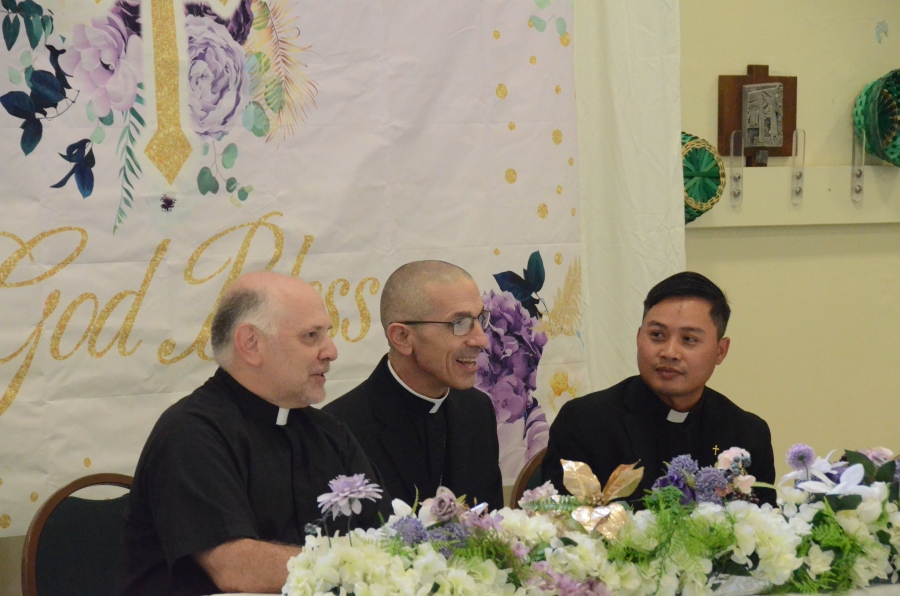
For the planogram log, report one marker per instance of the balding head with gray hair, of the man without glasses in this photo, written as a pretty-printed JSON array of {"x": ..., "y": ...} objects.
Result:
[{"x": 270, "y": 332}]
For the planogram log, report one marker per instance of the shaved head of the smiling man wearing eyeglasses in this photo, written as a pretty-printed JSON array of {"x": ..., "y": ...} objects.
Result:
[{"x": 433, "y": 317}]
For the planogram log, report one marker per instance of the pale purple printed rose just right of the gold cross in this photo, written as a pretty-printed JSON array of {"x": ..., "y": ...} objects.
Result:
[{"x": 218, "y": 83}]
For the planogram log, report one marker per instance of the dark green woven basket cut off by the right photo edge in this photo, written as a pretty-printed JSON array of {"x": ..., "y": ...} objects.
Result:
[{"x": 877, "y": 114}]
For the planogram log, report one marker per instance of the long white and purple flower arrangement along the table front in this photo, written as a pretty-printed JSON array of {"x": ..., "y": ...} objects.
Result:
[{"x": 702, "y": 532}]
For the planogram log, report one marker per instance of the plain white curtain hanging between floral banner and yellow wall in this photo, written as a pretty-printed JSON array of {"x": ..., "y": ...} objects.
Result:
[{"x": 627, "y": 66}]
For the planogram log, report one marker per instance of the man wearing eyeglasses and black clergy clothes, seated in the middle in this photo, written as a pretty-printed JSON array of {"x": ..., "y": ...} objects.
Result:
[{"x": 417, "y": 416}]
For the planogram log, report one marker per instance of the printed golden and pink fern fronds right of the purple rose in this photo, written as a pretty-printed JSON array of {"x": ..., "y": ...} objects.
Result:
[{"x": 278, "y": 83}]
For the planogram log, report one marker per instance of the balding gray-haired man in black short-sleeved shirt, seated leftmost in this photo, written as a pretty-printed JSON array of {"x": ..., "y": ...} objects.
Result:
[{"x": 228, "y": 479}]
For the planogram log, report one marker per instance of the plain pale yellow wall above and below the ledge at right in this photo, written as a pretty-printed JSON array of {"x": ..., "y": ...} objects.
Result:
[{"x": 816, "y": 324}]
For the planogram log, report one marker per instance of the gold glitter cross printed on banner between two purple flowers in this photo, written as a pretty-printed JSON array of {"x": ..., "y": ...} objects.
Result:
[{"x": 169, "y": 148}]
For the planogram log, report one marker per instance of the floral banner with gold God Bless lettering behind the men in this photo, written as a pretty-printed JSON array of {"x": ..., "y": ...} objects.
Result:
[{"x": 154, "y": 150}]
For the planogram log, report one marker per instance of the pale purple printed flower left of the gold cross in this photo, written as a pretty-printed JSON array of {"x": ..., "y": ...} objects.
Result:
[{"x": 104, "y": 61}]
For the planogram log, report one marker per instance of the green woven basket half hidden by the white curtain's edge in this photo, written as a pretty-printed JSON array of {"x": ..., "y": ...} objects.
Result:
[{"x": 704, "y": 176}]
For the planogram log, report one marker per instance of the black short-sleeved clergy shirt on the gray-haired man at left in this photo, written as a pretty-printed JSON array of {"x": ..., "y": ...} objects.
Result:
[{"x": 216, "y": 468}]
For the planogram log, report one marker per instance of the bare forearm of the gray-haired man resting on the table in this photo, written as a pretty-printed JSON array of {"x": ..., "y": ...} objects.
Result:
[{"x": 247, "y": 565}]
